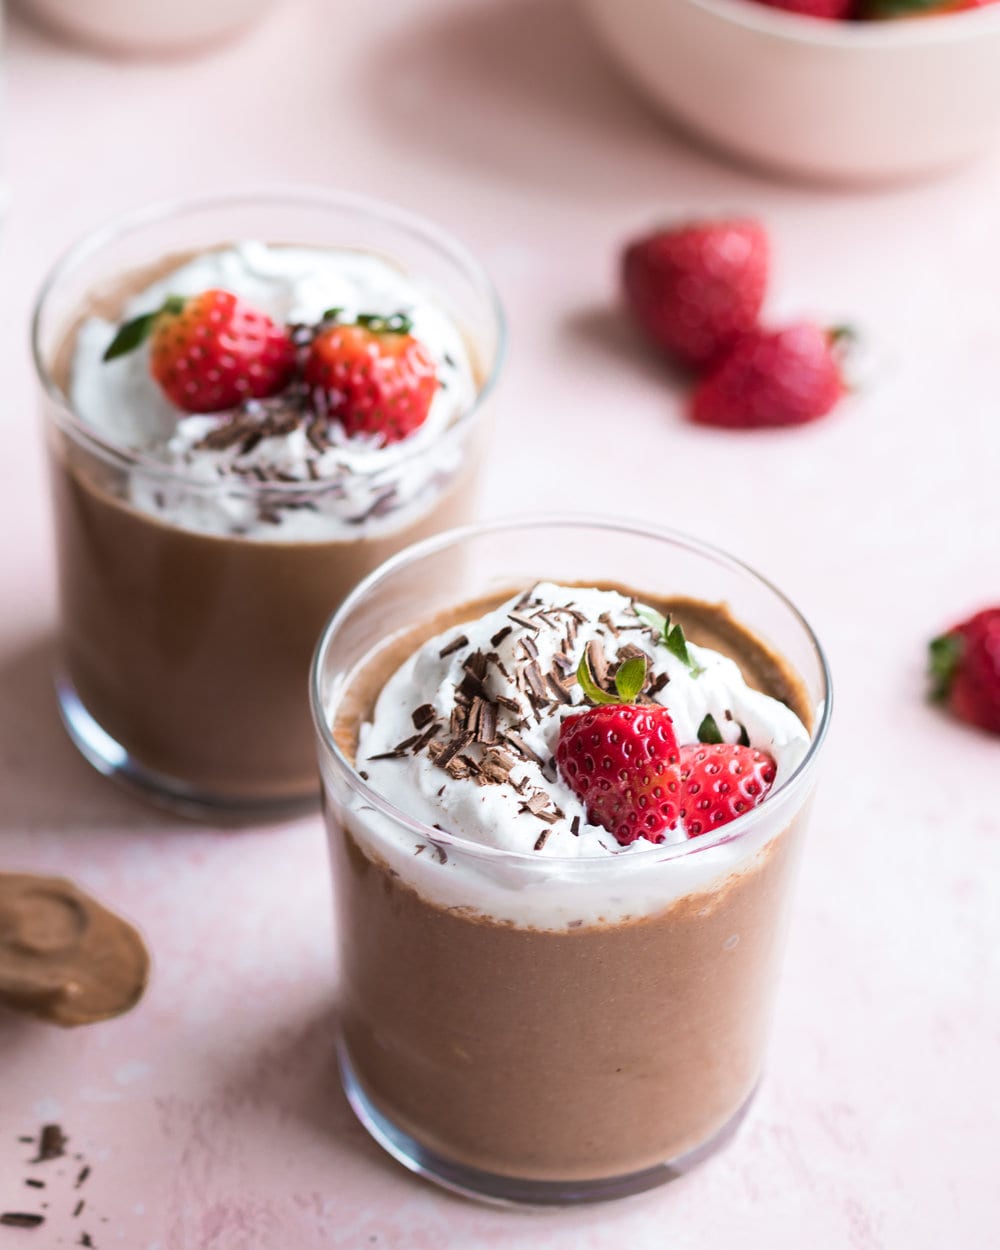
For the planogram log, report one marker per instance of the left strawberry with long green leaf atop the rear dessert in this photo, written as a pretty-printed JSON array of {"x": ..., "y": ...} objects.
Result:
[{"x": 211, "y": 352}]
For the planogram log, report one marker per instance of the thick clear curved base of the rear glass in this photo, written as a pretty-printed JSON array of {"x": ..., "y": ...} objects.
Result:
[{"x": 113, "y": 761}]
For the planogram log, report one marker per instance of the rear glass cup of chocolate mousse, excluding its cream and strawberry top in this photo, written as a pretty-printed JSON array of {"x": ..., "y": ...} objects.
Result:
[{"x": 187, "y": 628}]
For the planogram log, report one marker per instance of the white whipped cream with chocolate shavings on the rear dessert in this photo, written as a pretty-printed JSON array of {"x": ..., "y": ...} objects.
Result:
[{"x": 367, "y": 488}]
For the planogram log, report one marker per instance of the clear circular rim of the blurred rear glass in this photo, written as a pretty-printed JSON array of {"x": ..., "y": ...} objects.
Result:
[{"x": 298, "y": 196}]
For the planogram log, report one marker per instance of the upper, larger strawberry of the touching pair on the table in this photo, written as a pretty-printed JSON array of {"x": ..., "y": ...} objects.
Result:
[{"x": 697, "y": 288}]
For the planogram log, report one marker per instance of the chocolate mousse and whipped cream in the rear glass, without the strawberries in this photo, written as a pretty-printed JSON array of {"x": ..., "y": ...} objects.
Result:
[{"x": 199, "y": 556}]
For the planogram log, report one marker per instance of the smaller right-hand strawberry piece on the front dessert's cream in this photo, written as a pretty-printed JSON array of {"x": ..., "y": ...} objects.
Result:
[{"x": 719, "y": 782}]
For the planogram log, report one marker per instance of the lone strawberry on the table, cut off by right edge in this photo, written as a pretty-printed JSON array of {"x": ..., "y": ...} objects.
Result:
[{"x": 966, "y": 668}]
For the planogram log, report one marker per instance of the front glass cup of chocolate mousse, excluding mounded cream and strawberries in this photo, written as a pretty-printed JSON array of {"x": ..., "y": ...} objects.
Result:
[{"x": 553, "y": 1031}]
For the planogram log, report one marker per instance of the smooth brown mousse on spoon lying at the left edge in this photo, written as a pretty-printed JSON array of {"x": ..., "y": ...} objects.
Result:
[{"x": 63, "y": 957}]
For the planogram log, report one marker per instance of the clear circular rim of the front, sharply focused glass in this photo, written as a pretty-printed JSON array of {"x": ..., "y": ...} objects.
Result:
[{"x": 629, "y": 527}]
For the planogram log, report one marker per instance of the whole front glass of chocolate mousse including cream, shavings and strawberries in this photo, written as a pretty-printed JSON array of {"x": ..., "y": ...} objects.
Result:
[{"x": 567, "y": 766}]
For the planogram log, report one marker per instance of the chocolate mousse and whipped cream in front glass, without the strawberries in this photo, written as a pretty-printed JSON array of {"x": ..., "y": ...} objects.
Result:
[{"x": 504, "y": 1033}]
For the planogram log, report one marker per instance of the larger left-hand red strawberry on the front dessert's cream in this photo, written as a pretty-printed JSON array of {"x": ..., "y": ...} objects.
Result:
[{"x": 622, "y": 761}]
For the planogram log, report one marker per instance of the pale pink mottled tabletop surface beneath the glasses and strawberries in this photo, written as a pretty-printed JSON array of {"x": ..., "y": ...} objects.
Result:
[{"x": 212, "y": 1116}]
